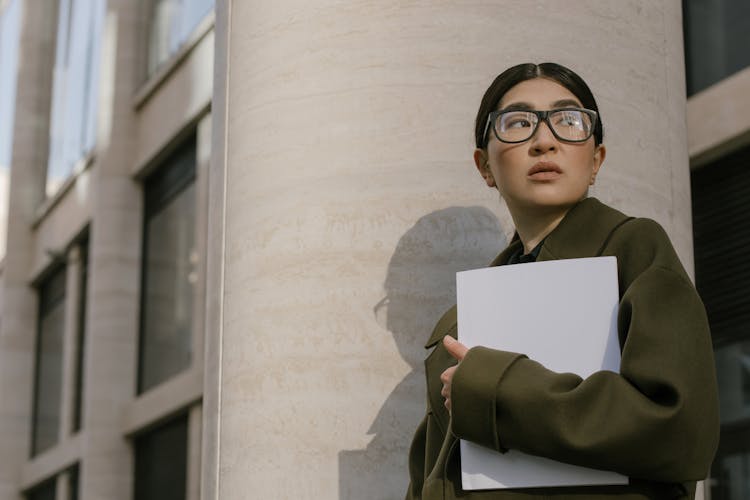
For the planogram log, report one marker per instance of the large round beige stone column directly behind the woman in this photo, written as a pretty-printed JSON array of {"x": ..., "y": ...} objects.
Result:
[{"x": 345, "y": 197}]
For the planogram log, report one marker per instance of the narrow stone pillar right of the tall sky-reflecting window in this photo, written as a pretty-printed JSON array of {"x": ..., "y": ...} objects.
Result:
[{"x": 114, "y": 269}]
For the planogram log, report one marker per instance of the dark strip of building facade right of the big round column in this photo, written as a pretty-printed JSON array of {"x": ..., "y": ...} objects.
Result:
[{"x": 717, "y": 48}]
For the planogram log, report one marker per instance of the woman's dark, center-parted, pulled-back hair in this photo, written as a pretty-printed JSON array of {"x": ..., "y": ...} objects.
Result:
[{"x": 528, "y": 71}]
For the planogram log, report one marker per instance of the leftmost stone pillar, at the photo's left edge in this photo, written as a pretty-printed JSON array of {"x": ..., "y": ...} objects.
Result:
[{"x": 28, "y": 169}]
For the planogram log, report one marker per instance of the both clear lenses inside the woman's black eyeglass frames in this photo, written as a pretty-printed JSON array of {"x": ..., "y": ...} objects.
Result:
[{"x": 568, "y": 124}]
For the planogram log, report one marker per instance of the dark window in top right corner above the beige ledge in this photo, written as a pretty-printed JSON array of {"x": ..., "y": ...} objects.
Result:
[{"x": 716, "y": 40}]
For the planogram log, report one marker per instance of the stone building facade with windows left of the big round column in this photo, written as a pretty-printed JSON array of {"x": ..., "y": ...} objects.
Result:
[{"x": 102, "y": 338}]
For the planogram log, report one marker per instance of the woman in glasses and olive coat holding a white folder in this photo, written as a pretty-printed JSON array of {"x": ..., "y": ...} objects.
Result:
[{"x": 539, "y": 143}]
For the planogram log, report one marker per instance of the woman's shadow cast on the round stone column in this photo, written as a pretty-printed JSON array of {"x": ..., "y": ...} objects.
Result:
[{"x": 420, "y": 286}]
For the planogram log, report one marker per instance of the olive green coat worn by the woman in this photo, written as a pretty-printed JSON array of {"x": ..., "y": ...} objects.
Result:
[{"x": 656, "y": 421}]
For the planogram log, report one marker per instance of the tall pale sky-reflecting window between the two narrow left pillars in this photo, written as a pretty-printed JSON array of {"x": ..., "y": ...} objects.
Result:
[{"x": 75, "y": 87}]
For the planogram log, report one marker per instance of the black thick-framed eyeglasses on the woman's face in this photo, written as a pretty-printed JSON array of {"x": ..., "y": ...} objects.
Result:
[{"x": 568, "y": 124}]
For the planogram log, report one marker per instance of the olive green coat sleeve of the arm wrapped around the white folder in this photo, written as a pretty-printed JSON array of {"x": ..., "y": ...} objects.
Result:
[{"x": 657, "y": 419}]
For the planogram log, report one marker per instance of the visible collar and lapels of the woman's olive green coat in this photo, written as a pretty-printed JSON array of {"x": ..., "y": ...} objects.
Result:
[{"x": 583, "y": 232}]
